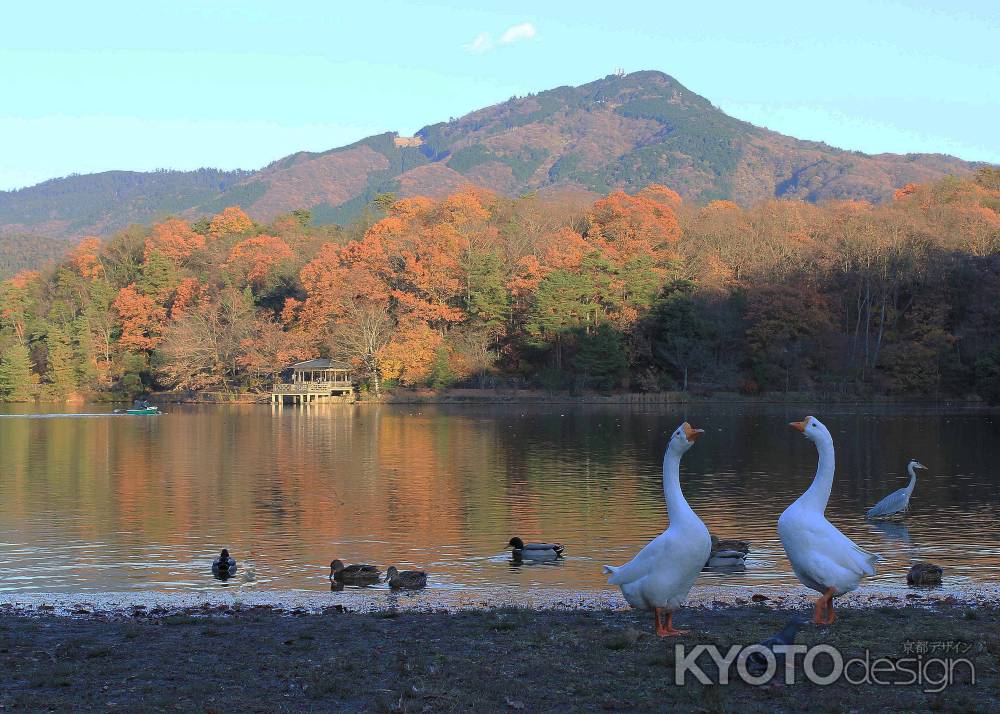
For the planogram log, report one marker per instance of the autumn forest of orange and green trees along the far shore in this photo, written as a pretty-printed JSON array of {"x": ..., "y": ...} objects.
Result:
[{"x": 627, "y": 294}]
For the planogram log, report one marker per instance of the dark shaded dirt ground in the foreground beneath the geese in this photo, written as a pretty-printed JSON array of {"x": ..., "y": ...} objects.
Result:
[{"x": 501, "y": 660}]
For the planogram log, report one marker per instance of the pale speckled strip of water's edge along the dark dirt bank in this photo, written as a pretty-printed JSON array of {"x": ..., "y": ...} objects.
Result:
[{"x": 442, "y": 600}]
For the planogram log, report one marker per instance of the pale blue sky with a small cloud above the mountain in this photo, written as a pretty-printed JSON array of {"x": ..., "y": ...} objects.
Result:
[{"x": 88, "y": 87}]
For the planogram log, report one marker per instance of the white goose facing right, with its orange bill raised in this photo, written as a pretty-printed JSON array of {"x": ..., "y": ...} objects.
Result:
[{"x": 660, "y": 576}]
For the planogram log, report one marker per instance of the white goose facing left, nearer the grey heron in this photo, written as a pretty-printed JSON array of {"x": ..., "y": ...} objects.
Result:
[{"x": 822, "y": 558}]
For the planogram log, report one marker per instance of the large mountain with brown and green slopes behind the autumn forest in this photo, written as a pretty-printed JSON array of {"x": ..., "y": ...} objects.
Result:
[{"x": 622, "y": 131}]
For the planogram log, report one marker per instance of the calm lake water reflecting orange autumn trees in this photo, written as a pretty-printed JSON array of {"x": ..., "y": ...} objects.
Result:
[{"x": 109, "y": 503}]
